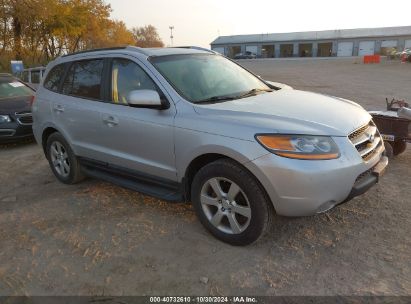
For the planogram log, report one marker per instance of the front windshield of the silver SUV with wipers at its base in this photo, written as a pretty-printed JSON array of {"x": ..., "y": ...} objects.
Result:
[{"x": 206, "y": 77}]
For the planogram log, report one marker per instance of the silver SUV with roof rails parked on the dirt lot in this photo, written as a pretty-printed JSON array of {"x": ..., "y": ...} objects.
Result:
[{"x": 187, "y": 124}]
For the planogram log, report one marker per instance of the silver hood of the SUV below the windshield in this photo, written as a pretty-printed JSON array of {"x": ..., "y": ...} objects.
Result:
[{"x": 284, "y": 111}]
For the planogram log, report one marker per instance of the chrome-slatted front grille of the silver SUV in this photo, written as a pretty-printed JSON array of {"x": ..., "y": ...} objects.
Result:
[{"x": 367, "y": 141}]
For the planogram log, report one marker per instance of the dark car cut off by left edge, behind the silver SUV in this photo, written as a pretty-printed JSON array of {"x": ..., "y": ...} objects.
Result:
[{"x": 15, "y": 113}]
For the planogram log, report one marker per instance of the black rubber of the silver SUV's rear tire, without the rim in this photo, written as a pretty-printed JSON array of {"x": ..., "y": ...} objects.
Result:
[{"x": 74, "y": 175}]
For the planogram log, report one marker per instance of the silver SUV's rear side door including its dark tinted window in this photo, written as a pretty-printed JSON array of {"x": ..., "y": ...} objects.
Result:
[{"x": 76, "y": 110}]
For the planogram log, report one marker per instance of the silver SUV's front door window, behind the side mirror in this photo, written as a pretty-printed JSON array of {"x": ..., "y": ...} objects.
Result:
[{"x": 127, "y": 76}]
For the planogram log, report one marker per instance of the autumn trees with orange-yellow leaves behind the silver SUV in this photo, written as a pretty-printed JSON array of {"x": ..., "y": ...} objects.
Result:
[{"x": 36, "y": 31}]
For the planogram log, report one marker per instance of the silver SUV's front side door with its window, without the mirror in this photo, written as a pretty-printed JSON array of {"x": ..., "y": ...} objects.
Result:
[{"x": 138, "y": 139}]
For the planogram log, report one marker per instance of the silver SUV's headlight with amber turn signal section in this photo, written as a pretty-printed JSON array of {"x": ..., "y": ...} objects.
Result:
[{"x": 300, "y": 146}]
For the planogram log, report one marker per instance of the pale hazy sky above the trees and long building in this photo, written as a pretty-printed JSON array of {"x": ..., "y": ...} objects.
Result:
[{"x": 198, "y": 22}]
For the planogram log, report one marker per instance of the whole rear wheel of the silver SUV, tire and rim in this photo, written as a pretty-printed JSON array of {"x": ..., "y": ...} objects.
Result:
[{"x": 62, "y": 160}]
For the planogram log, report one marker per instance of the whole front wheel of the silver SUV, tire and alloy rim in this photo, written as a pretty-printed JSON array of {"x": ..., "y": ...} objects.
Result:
[{"x": 240, "y": 217}]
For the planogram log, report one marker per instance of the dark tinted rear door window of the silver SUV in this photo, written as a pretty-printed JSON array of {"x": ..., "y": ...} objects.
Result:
[{"x": 84, "y": 79}]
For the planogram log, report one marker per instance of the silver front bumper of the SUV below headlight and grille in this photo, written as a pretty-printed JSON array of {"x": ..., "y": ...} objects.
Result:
[{"x": 302, "y": 188}]
